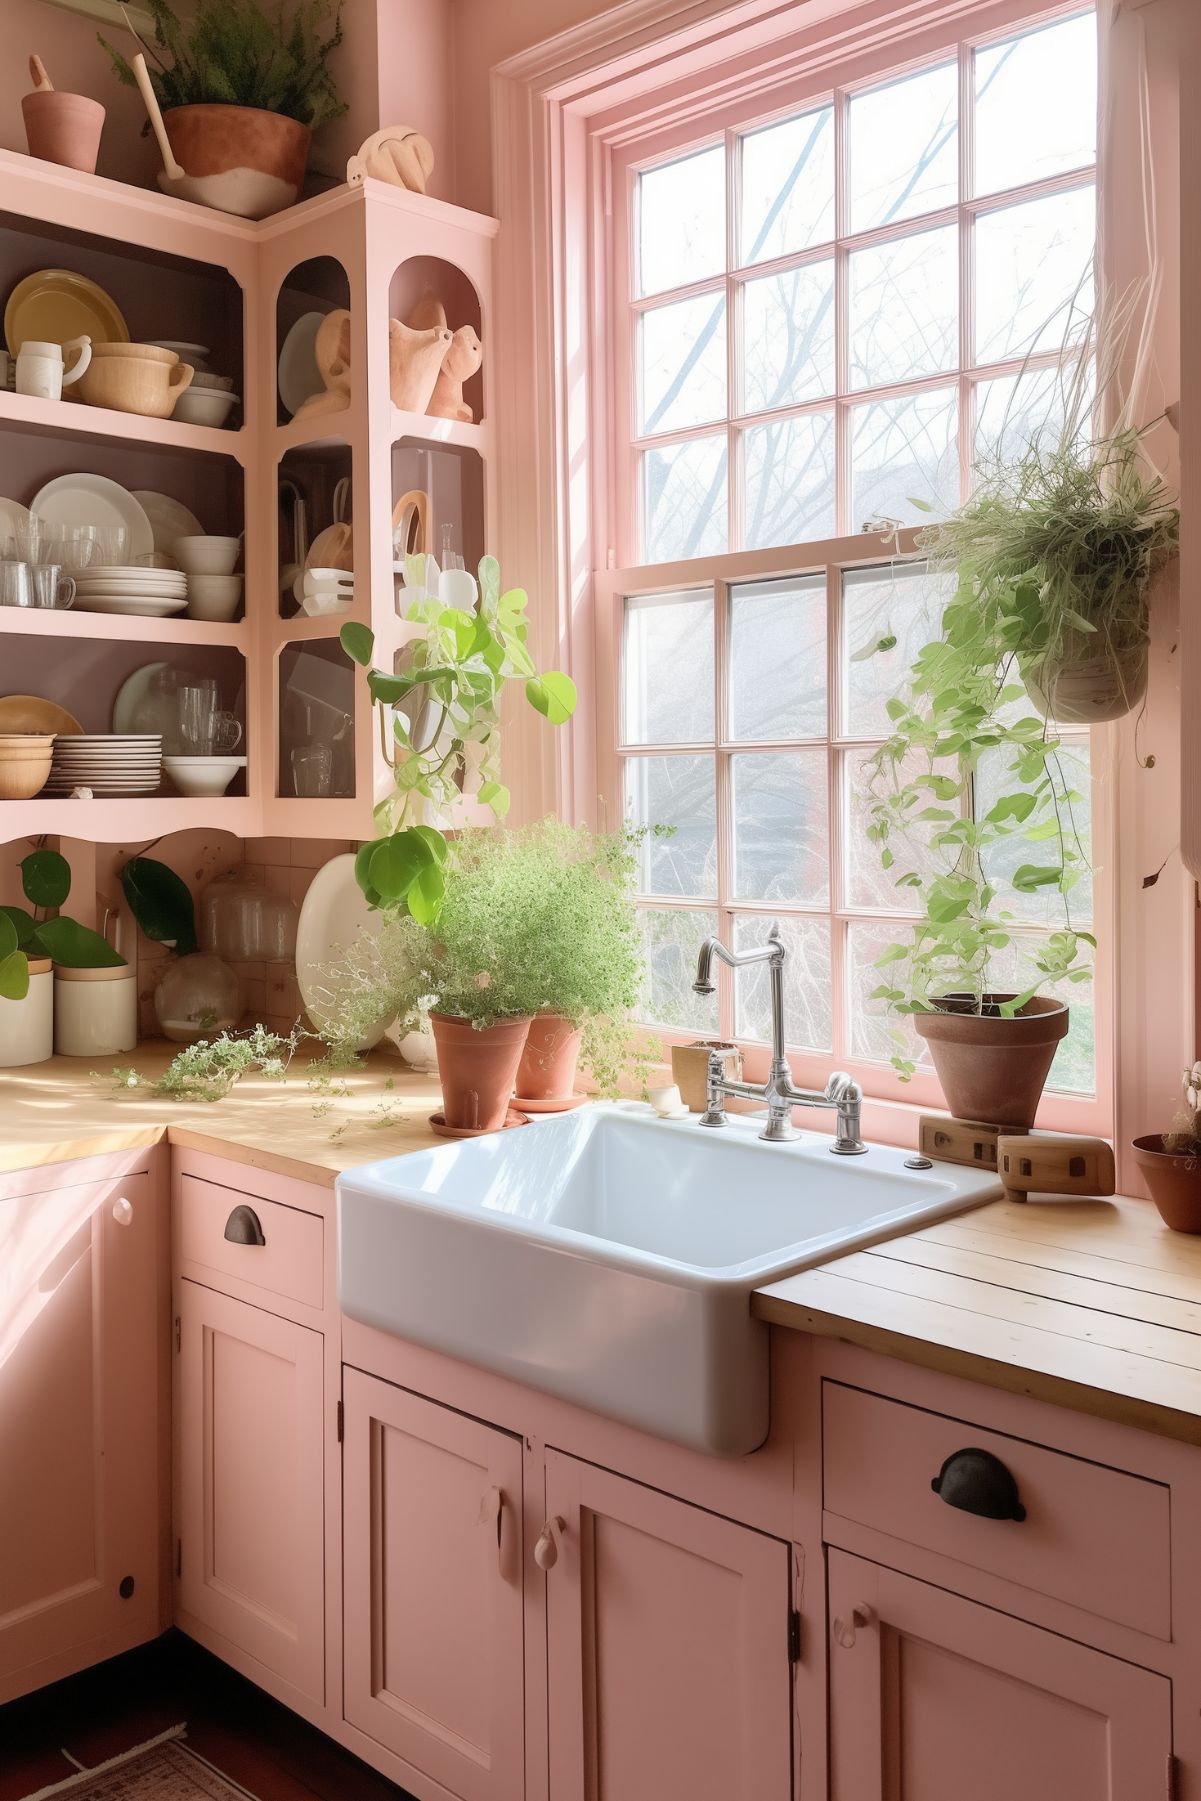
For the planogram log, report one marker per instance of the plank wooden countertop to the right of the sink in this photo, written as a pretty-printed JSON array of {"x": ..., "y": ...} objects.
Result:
[{"x": 1090, "y": 1305}]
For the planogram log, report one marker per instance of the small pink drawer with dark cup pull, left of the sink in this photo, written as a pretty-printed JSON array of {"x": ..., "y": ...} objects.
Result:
[{"x": 291, "y": 1260}]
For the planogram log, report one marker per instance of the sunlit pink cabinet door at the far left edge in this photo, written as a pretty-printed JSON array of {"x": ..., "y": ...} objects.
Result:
[{"x": 80, "y": 1359}]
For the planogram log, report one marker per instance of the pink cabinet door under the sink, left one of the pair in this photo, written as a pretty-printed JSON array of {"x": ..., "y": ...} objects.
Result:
[{"x": 433, "y": 1570}]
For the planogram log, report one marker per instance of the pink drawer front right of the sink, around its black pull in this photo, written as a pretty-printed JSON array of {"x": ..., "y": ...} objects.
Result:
[{"x": 1092, "y": 1537}]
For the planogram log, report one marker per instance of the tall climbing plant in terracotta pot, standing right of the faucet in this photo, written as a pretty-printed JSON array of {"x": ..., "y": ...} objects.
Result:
[{"x": 968, "y": 973}]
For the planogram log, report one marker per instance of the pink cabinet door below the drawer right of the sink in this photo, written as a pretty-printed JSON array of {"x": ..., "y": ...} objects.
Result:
[{"x": 935, "y": 1699}]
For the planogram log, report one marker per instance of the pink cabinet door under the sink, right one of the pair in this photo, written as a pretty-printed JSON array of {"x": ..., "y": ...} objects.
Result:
[{"x": 671, "y": 1672}]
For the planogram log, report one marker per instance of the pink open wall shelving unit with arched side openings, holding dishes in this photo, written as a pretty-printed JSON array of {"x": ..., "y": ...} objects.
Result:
[{"x": 240, "y": 285}]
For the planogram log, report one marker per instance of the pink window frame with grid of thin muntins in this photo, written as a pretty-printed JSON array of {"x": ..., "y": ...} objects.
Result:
[{"x": 892, "y": 1107}]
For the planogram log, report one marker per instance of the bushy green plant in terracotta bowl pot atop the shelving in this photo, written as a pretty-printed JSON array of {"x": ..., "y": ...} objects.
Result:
[{"x": 242, "y": 86}]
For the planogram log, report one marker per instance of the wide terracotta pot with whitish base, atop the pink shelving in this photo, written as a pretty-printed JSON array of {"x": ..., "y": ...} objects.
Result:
[{"x": 251, "y": 161}]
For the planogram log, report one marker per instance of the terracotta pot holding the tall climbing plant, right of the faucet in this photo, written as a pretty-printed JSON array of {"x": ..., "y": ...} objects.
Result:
[{"x": 993, "y": 1071}]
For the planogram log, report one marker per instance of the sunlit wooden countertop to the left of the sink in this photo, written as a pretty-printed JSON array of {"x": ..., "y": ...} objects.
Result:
[{"x": 69, "y": 1109}]
